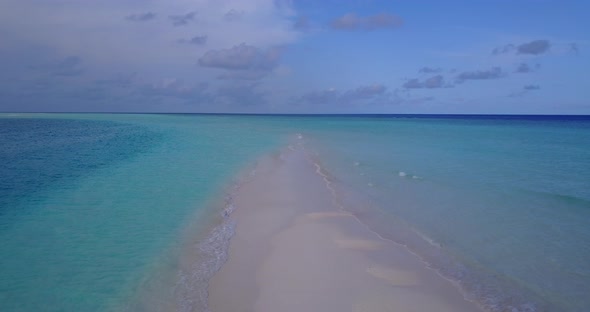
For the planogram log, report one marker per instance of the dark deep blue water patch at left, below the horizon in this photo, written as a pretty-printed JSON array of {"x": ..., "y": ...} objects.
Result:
[{"x": 36, "y": 154}]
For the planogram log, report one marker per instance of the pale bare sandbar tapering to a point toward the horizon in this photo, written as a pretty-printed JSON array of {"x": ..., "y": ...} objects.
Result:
[{"x": 295, "y": 250}]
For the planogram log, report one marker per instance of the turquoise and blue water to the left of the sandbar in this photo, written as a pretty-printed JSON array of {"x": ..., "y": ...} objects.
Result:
[{"x": 92, "y": 206}]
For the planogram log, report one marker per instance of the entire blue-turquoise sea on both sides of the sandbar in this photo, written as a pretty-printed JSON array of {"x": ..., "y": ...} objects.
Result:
[{"x": 124, "y": 212}]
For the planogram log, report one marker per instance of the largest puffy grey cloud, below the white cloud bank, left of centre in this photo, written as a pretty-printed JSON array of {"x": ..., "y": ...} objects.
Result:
[{"x": 241, "y": 57}]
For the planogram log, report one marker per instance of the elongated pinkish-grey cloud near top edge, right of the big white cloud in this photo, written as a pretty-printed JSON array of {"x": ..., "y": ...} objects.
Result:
[{"x": 353, "y": 22}]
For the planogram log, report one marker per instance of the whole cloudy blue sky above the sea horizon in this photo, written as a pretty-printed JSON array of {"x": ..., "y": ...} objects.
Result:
[{"x": 295, "y": 56}]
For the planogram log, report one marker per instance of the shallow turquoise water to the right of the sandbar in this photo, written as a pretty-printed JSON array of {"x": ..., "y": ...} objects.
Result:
[{"x": 501, "y": 206}]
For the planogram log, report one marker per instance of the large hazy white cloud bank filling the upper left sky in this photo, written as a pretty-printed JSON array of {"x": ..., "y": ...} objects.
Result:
[{"x": 100, "y": 33}]
